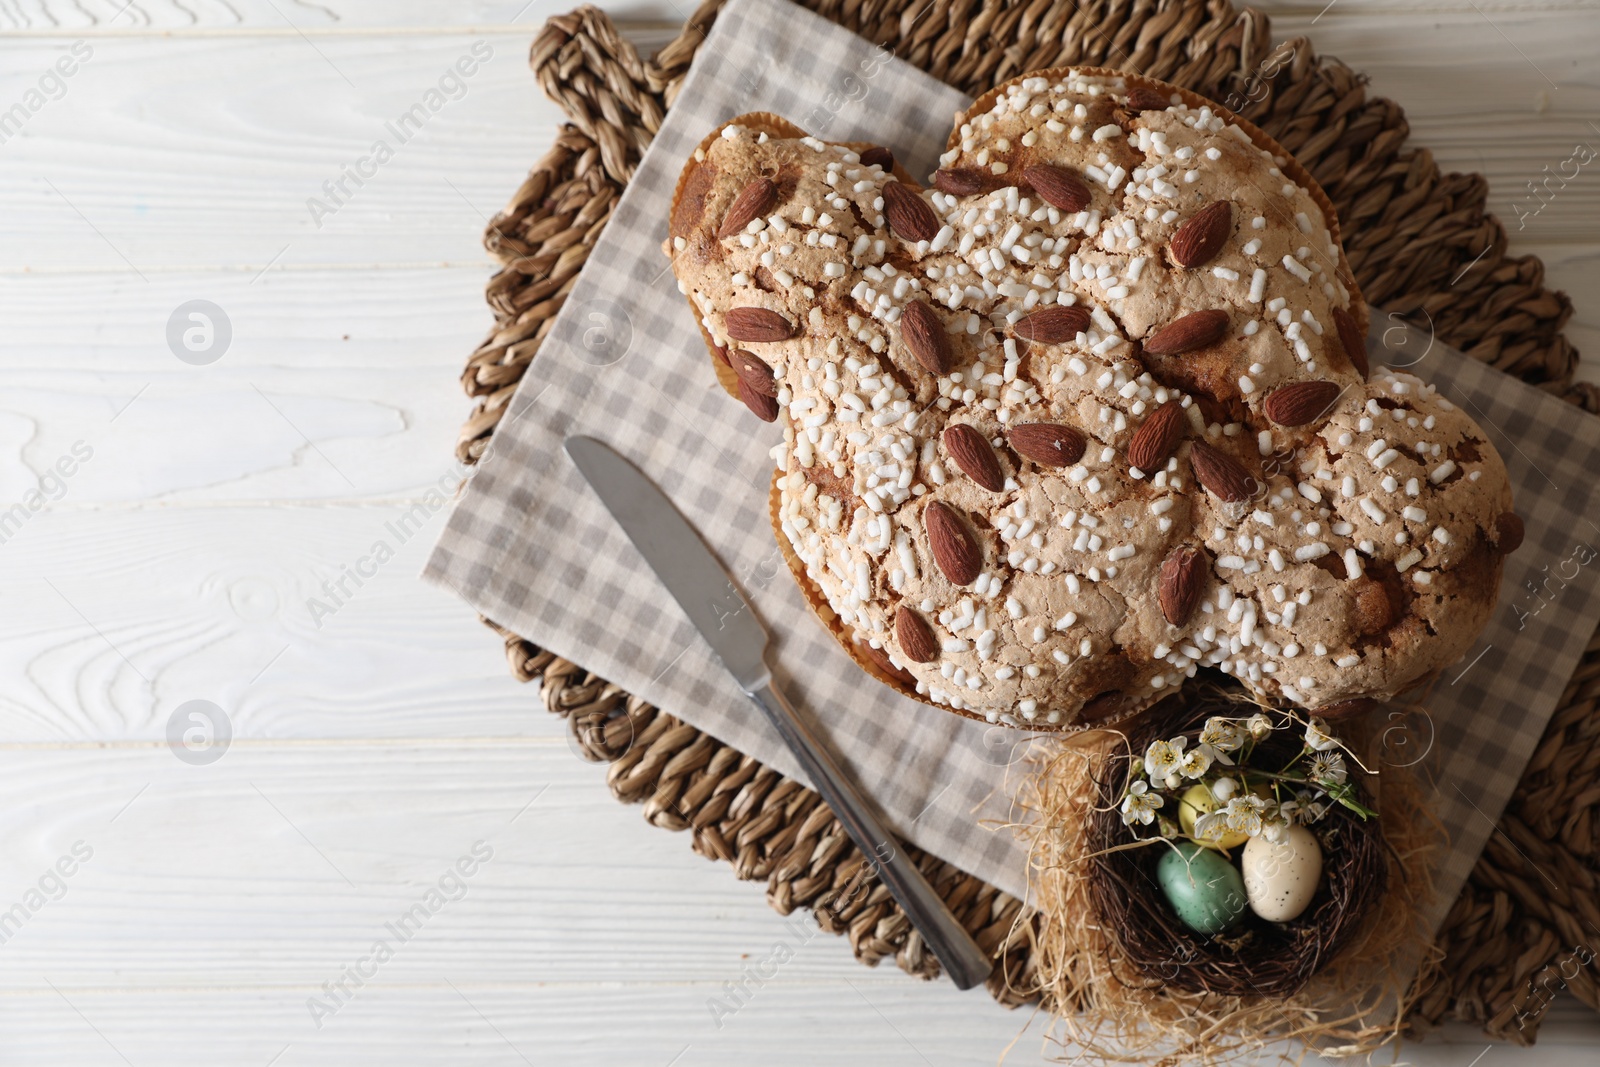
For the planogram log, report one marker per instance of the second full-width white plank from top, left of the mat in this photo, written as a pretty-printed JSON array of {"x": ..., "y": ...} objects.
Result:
[{"x": 337, "y": 385}]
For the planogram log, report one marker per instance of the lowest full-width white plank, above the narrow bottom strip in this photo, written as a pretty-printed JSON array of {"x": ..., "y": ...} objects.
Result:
[{"x": 282, "y": 865}]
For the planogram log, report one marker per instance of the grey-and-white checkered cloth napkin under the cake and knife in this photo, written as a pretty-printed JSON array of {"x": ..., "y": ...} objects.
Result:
[{"x": 532, "y": 548}]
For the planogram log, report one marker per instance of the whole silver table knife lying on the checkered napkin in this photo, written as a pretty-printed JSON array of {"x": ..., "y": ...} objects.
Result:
[{"x": 722, "y": 615}]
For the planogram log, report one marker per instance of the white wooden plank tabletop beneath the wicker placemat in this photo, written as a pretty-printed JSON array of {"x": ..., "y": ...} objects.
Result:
[{"x": 378, "y": 738}]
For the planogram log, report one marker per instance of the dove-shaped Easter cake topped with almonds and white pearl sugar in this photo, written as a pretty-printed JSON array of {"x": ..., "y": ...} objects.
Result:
[{"x": 1089, "y": 415}]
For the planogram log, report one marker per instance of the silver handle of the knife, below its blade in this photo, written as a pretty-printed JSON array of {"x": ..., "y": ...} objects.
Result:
[{"x": 958, "y": 953}]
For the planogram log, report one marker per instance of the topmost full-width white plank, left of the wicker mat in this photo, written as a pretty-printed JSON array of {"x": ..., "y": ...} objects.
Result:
[{"x": 236, "y": 151}]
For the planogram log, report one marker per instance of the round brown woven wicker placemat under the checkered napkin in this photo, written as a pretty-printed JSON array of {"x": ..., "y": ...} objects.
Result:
[{"x": 1420, "y": 244}]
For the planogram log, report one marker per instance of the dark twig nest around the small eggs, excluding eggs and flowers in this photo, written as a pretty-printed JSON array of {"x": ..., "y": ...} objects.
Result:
[{"x": 1258, "y": 957}]
